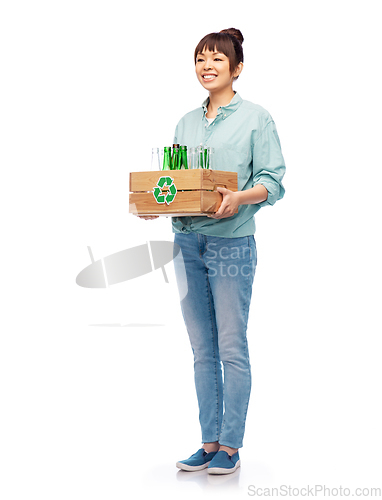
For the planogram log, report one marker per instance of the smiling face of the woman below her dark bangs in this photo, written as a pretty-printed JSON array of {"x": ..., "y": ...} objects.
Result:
[{"x": 213, "y": 70}]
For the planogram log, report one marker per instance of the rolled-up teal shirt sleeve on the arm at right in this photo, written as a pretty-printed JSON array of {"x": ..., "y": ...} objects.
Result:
[{"x": 268, "y": 163}]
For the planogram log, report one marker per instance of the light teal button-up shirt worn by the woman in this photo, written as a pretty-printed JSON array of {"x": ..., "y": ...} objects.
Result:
[{"x": 245, "y": 140}]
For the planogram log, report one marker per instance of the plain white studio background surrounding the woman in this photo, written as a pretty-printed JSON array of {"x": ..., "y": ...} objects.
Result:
[{"x": 104, "y": 412}]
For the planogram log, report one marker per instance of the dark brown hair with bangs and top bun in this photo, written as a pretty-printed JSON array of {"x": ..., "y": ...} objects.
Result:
[{"x": 227, "y": 42}]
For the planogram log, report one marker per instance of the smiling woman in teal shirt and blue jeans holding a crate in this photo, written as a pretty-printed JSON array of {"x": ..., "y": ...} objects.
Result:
[{"x": 219, "y": 251}]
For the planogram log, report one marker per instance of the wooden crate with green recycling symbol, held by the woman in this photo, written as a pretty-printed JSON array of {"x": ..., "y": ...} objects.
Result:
[{"x": 175, "y": 193}]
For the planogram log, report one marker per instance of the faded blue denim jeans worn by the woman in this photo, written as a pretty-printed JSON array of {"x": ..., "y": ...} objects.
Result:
[{"x": 219, "y": 273}]
